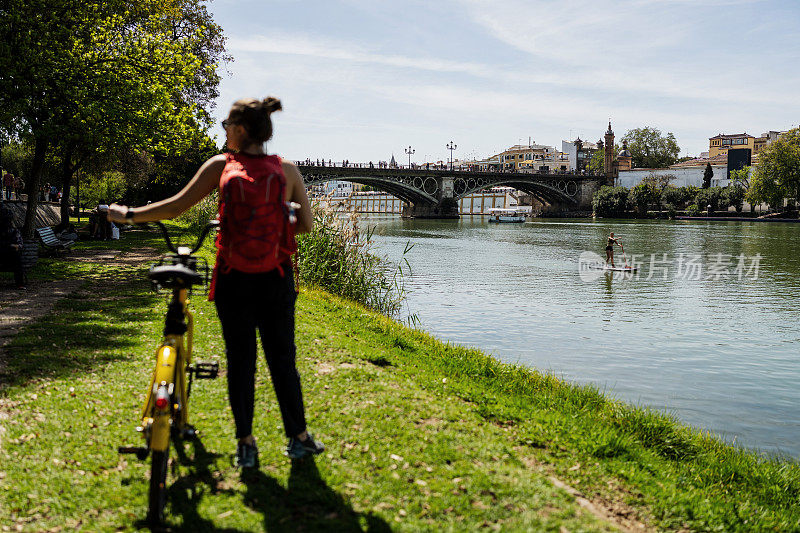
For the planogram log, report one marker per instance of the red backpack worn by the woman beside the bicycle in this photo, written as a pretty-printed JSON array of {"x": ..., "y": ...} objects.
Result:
[{"x": 255, "y": 234}]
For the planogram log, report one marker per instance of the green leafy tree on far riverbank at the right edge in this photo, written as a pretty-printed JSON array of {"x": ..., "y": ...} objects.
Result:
[{"x": 778, "y": 170}]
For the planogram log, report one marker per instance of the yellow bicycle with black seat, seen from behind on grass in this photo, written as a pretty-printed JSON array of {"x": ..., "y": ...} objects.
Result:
[{"x": 166, "y": 409}]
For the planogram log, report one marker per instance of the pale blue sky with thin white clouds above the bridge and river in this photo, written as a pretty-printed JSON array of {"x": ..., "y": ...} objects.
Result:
[{"x": 363, "y": 79}]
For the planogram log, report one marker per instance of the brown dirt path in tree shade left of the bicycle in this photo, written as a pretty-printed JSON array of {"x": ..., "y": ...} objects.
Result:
[{"x": 20, "y": 308}]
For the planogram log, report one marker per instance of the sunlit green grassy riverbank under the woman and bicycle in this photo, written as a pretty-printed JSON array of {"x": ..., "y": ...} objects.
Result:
[{"x": 421, "y": 435}]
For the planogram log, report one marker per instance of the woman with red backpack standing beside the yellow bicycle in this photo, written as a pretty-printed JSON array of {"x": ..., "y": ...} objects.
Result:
[{"x": 253, "y": 286}]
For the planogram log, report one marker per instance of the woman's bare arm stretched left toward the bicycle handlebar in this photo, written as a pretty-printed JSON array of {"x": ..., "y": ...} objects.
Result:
[{"x": 204, "y": 181}]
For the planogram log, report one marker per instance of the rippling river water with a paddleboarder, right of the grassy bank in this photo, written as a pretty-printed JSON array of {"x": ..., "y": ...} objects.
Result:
[{"x": 708, "y": 328}]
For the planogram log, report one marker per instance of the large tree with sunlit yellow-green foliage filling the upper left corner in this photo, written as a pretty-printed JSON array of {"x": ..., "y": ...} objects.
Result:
[{"x": 95, "y": 76}]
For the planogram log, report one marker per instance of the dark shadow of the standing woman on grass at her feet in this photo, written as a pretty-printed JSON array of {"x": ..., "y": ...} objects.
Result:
[{"x": 307, "y": 504}]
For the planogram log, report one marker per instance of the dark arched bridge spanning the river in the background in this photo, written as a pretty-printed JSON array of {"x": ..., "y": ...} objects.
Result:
[{"x": 435, "y": 193}]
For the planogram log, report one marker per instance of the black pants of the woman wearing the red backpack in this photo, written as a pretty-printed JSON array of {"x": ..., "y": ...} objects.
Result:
[{"x": 263, "y": 302}]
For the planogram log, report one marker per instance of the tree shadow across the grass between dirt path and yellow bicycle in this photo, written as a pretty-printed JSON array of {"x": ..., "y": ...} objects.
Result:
[{"x": 78, "y": 336}]
